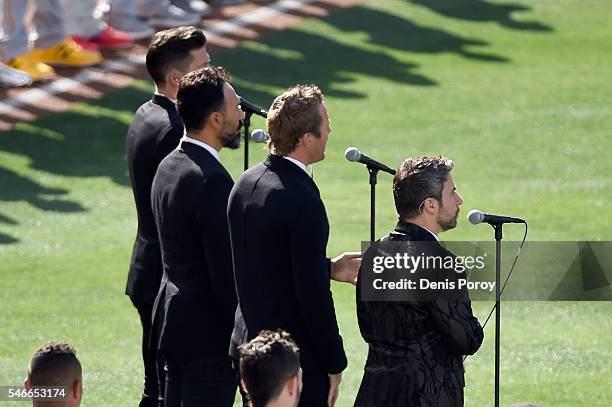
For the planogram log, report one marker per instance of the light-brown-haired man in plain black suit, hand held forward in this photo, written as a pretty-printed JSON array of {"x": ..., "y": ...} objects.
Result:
[{"x": 279, "y": 233}]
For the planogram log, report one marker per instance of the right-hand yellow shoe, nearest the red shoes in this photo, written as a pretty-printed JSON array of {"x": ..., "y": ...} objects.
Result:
[{"x": 68, "y": 53}]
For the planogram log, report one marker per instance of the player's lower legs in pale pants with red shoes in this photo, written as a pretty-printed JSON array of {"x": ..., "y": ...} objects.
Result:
[{"x": 83, "y": 22}]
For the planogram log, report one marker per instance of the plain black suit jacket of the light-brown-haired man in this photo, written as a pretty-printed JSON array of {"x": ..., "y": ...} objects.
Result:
[{"x": 279, "y": 233}]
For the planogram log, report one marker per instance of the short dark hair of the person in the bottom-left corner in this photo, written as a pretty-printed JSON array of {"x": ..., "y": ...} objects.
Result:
[{"x": 54, "y": 364}]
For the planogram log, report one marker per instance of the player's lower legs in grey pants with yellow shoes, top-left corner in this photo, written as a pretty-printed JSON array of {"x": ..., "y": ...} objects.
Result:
[{"x": 51, "y": 46}]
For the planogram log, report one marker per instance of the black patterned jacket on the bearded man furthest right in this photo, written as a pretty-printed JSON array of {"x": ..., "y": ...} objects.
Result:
[{"x": 416, "y": 348}]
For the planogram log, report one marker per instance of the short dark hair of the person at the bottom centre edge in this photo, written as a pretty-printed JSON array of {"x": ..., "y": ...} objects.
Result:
[{"x": 266, "y": 363}]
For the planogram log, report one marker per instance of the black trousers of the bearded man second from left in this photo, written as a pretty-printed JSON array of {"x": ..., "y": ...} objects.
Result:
[{"x": 200, "y": 383}]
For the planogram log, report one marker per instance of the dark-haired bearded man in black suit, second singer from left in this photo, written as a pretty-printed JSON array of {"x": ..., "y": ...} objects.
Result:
[{"x": 197, "y": 300}]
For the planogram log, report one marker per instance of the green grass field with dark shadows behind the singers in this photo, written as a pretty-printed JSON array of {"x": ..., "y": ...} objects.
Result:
[{"x": 519, "y": 95}]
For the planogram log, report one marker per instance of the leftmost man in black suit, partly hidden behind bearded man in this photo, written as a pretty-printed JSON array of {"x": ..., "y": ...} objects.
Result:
[{"x": 155, "y": 131}]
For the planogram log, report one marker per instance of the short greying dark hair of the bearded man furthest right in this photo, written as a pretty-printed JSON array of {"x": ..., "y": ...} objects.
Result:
[{"x": 417, "y": 179}]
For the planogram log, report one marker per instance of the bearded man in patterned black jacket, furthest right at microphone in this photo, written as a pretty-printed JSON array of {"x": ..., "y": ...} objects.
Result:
[{"x": 416, "y": 347}]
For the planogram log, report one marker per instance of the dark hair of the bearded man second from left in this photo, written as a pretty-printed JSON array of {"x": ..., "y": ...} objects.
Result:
[{"x": 201, "y": 93}]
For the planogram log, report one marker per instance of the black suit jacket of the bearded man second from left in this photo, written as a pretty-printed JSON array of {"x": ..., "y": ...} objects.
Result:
[{"x": 197, "y": 299}]
